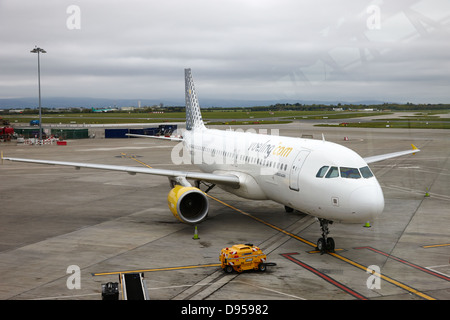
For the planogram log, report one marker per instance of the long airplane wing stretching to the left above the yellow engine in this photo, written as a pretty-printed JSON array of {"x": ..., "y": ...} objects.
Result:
[{"x": 230, "y": 180}]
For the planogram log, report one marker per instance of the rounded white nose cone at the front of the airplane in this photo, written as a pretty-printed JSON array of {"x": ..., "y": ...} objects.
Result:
[{"x": 367, "y": 202}]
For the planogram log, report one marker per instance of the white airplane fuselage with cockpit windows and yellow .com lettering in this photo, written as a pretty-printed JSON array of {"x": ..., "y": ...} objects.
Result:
[{"x": 316, "y": 177}]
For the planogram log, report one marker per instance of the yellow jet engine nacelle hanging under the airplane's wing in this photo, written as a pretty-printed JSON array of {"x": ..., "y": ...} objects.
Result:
[{"x": 188, "y": 204}]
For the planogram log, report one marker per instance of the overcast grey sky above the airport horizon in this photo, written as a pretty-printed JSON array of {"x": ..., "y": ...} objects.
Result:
[{"x": 350, "y": 50}]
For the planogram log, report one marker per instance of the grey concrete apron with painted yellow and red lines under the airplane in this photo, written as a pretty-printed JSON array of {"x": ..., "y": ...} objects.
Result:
[{"x": 105, "y": 223}]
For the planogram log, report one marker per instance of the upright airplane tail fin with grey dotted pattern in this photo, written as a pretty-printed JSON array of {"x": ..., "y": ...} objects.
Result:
[{"x": 193, "y": 114}]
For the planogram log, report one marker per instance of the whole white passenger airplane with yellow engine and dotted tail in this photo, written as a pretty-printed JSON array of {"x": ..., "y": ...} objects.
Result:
[{"x": 316, "y": 177}]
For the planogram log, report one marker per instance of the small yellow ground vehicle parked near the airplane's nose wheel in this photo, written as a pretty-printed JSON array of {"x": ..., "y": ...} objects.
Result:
[{"x": 242, "y": 257}]
